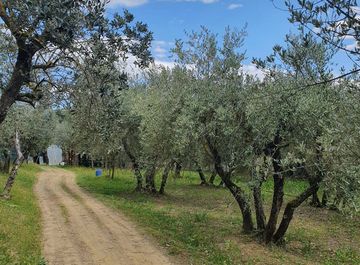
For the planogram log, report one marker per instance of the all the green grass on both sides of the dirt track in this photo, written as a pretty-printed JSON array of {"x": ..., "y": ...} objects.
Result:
[{"x": 196, "y": 225}]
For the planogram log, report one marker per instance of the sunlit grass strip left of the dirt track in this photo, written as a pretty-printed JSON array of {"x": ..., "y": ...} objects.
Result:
[{"x": 20, "y": 231}]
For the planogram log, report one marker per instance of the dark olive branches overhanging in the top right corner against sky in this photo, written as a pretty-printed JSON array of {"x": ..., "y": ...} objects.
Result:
[{"x": 335, "y": 22}]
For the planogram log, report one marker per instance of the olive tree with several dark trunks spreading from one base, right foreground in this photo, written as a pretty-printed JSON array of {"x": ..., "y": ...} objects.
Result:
[{"x": 289, "y": 116}]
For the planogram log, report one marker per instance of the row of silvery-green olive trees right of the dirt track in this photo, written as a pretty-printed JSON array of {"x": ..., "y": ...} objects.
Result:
[{"x": 206, "y": 112}]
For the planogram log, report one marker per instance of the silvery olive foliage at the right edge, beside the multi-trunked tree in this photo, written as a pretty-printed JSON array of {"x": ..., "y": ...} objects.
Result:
[{"x": 342, "y": 183}]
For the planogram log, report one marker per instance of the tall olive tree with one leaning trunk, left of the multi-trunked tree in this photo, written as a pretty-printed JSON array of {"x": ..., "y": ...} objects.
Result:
[{"x": 215, "y": 104}]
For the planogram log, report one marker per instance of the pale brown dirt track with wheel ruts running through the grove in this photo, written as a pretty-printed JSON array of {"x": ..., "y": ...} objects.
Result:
[{"x": 77, "y": 229}]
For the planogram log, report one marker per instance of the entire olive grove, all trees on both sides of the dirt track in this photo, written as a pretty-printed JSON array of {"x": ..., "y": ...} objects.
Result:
[{"x": 205, "y": 114}]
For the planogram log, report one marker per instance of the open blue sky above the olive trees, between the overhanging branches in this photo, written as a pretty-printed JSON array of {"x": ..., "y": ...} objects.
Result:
[{"x": 169, "y": 19}]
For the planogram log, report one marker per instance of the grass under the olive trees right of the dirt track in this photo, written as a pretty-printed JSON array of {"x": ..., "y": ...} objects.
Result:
[{"x": 202, "y": 225}]
